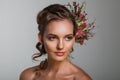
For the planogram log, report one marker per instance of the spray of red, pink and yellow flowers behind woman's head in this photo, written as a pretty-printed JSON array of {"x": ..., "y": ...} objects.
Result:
[{"x": 83, "y": 31}]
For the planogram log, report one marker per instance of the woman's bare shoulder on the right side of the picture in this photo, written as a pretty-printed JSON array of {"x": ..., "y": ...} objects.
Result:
[{"x": 80, "y": 74}]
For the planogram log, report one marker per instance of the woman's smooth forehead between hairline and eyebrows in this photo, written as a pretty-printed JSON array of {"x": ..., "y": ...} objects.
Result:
[{"x": 60, "y": 26}]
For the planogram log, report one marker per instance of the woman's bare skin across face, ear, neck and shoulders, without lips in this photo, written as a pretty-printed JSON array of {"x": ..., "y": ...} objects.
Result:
[{"x": 58, "y": 37}]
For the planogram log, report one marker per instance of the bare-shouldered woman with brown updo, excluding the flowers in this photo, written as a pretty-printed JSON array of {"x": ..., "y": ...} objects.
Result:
[{"x": 56, "y": 35}]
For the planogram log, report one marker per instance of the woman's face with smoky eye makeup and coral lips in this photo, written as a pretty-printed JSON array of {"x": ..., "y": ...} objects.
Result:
[{"x": 58, "y": 39}]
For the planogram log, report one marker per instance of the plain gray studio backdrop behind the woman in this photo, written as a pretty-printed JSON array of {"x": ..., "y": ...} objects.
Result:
[{"x": 18, "y": 37}]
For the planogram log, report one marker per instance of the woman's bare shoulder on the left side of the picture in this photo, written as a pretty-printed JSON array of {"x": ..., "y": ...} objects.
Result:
[{"x": 29, "y": 73}]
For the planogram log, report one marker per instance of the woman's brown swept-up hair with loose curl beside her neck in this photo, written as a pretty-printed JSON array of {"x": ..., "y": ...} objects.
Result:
[{"x": 51, "y": 13}]
